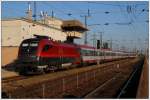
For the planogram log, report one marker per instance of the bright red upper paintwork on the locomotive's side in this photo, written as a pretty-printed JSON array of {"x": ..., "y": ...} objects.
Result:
[{"x": 58, "y": 49}]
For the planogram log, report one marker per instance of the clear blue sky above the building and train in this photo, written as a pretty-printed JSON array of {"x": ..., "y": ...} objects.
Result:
[{"x": 126, "y": 27}]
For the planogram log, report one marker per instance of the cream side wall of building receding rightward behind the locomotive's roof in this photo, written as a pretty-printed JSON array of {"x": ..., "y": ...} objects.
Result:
[{"x": 28, "y": 29}]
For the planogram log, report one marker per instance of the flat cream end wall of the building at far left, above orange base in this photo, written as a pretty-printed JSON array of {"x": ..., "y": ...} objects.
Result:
[{"x": 11, "y": 32}]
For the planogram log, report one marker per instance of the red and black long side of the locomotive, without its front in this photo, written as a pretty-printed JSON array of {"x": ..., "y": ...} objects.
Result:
[{"x": 59, "y": 55}]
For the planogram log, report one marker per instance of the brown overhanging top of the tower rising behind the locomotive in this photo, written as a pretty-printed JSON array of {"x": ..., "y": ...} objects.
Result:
[{"x": 73, "y": 25}]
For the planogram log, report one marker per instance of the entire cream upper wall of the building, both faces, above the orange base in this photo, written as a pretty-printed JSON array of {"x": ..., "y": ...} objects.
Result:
[{"x": 16, "y": 30}]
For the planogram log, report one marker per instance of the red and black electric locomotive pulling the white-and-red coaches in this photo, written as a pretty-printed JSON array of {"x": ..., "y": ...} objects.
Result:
[{"x": 41, "y": 53}]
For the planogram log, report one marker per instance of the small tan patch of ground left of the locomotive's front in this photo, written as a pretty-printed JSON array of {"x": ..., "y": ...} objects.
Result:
[{"x": 8, "y": 74}]
